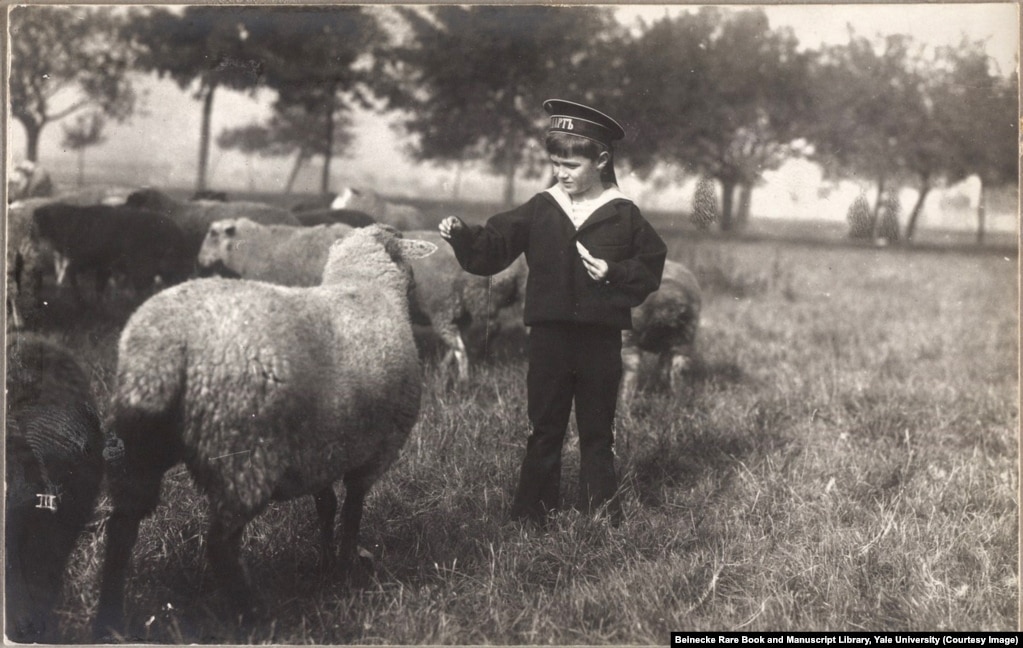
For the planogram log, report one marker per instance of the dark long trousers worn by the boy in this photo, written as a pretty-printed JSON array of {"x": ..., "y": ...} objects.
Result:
[{"x": 570, "y": 363}]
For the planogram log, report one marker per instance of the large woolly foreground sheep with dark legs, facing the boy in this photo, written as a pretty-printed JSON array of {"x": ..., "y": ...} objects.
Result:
[{"x": 265, "y": 393}]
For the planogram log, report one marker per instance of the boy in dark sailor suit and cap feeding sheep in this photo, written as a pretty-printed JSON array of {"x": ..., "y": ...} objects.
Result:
[{"x": 592, "y": 258}]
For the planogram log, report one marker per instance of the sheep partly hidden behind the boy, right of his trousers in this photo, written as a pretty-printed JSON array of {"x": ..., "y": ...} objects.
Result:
[{"x": 666, "y": 325}]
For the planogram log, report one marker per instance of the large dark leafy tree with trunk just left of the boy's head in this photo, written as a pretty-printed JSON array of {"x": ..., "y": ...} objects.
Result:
[{"x": 470, "y": 80}]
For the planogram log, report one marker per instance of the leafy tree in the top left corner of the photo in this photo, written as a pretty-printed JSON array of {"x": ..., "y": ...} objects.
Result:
[{"x": 66, "y": 61}]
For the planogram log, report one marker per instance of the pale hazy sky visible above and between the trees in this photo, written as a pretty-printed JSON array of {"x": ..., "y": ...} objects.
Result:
[{"x": 161, "y": 148}]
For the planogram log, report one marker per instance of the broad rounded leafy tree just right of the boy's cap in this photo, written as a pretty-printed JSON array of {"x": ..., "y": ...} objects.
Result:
[{"x": 718, "y": 92}]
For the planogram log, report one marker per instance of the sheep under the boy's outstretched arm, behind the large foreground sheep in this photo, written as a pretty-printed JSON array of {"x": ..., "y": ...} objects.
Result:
[{"x": 452, "y": 301}]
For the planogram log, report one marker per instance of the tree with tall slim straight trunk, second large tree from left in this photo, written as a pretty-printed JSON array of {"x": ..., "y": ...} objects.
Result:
[{"x": 202, "y": 48}]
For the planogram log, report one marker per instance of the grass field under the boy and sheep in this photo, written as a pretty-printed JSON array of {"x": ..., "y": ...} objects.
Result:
[{"x": 844, "y": 458}]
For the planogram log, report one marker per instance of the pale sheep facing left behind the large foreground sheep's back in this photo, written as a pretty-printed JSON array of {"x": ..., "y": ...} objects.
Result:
[{"x": 279, "y": 254}]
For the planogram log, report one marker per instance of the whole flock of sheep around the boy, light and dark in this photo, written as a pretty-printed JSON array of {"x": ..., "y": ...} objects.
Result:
[{"x": 305, "y": 317}]
